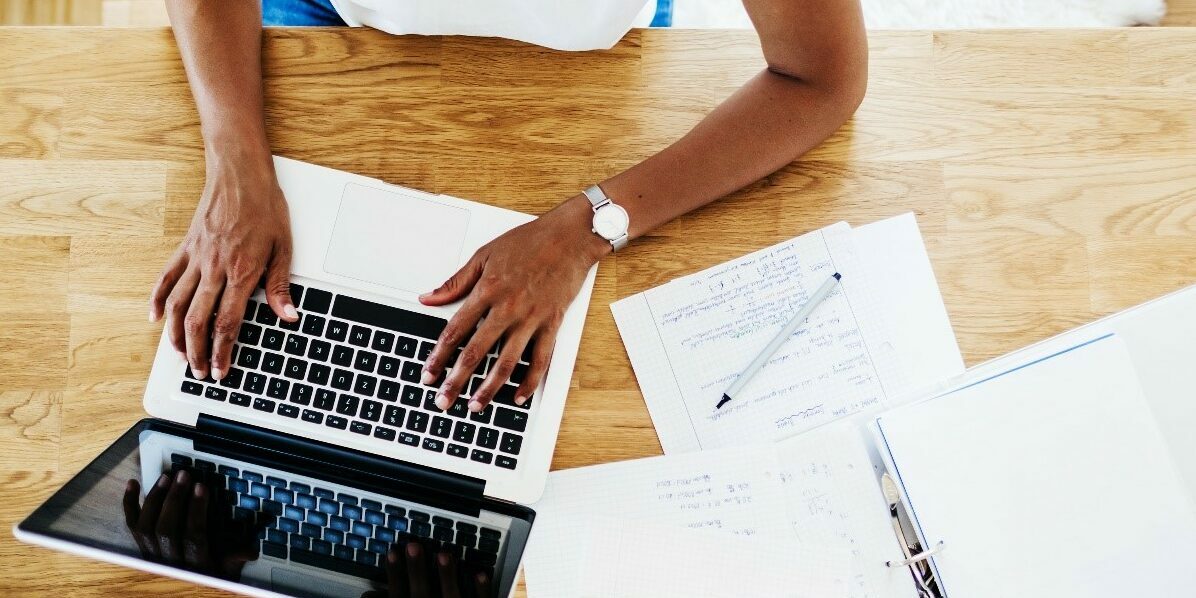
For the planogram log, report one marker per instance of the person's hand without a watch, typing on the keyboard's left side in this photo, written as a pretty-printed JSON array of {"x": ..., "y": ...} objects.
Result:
[{"x": 241, "y": 230}]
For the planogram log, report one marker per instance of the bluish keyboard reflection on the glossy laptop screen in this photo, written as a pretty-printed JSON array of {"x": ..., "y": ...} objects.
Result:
[{"x": 335, "y": 530}]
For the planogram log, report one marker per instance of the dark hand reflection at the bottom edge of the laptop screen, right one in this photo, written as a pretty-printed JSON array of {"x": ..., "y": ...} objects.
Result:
[{"x": 411, "y": 573}]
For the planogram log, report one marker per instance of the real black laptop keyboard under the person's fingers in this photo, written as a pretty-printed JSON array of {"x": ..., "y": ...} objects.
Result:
[{"x": 355, "y": 365}]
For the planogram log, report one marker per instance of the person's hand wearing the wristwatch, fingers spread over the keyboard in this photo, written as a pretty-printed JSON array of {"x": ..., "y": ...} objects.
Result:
[{"x": 516, "y": 289}]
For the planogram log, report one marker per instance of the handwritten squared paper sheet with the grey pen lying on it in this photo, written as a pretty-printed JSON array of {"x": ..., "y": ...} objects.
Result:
[{"x": 691, "y": 339}]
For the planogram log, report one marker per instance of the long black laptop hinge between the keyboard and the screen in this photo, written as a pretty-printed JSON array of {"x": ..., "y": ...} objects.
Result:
[{"x": 407, "y": 481}]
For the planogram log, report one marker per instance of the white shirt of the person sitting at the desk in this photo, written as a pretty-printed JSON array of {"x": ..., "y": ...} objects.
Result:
[{"x": 558, "y": 25}]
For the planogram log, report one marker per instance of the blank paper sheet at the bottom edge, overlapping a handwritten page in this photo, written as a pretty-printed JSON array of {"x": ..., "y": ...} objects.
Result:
[{"x": 627, "y": 560}]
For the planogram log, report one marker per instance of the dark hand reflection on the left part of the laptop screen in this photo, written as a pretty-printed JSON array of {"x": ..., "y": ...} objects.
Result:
[{"x": 181, "y": 524}]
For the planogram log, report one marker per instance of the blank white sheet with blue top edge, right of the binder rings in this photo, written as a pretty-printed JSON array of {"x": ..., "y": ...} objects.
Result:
[{"x": 1048, "y": 480}]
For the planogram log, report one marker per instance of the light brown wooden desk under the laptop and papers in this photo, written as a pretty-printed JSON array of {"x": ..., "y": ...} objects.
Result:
[{"x": 1053, "y": 173}]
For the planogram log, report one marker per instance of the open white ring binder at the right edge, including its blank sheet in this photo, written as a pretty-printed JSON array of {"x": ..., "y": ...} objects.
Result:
[{"x": 1064, "y": 469}]
